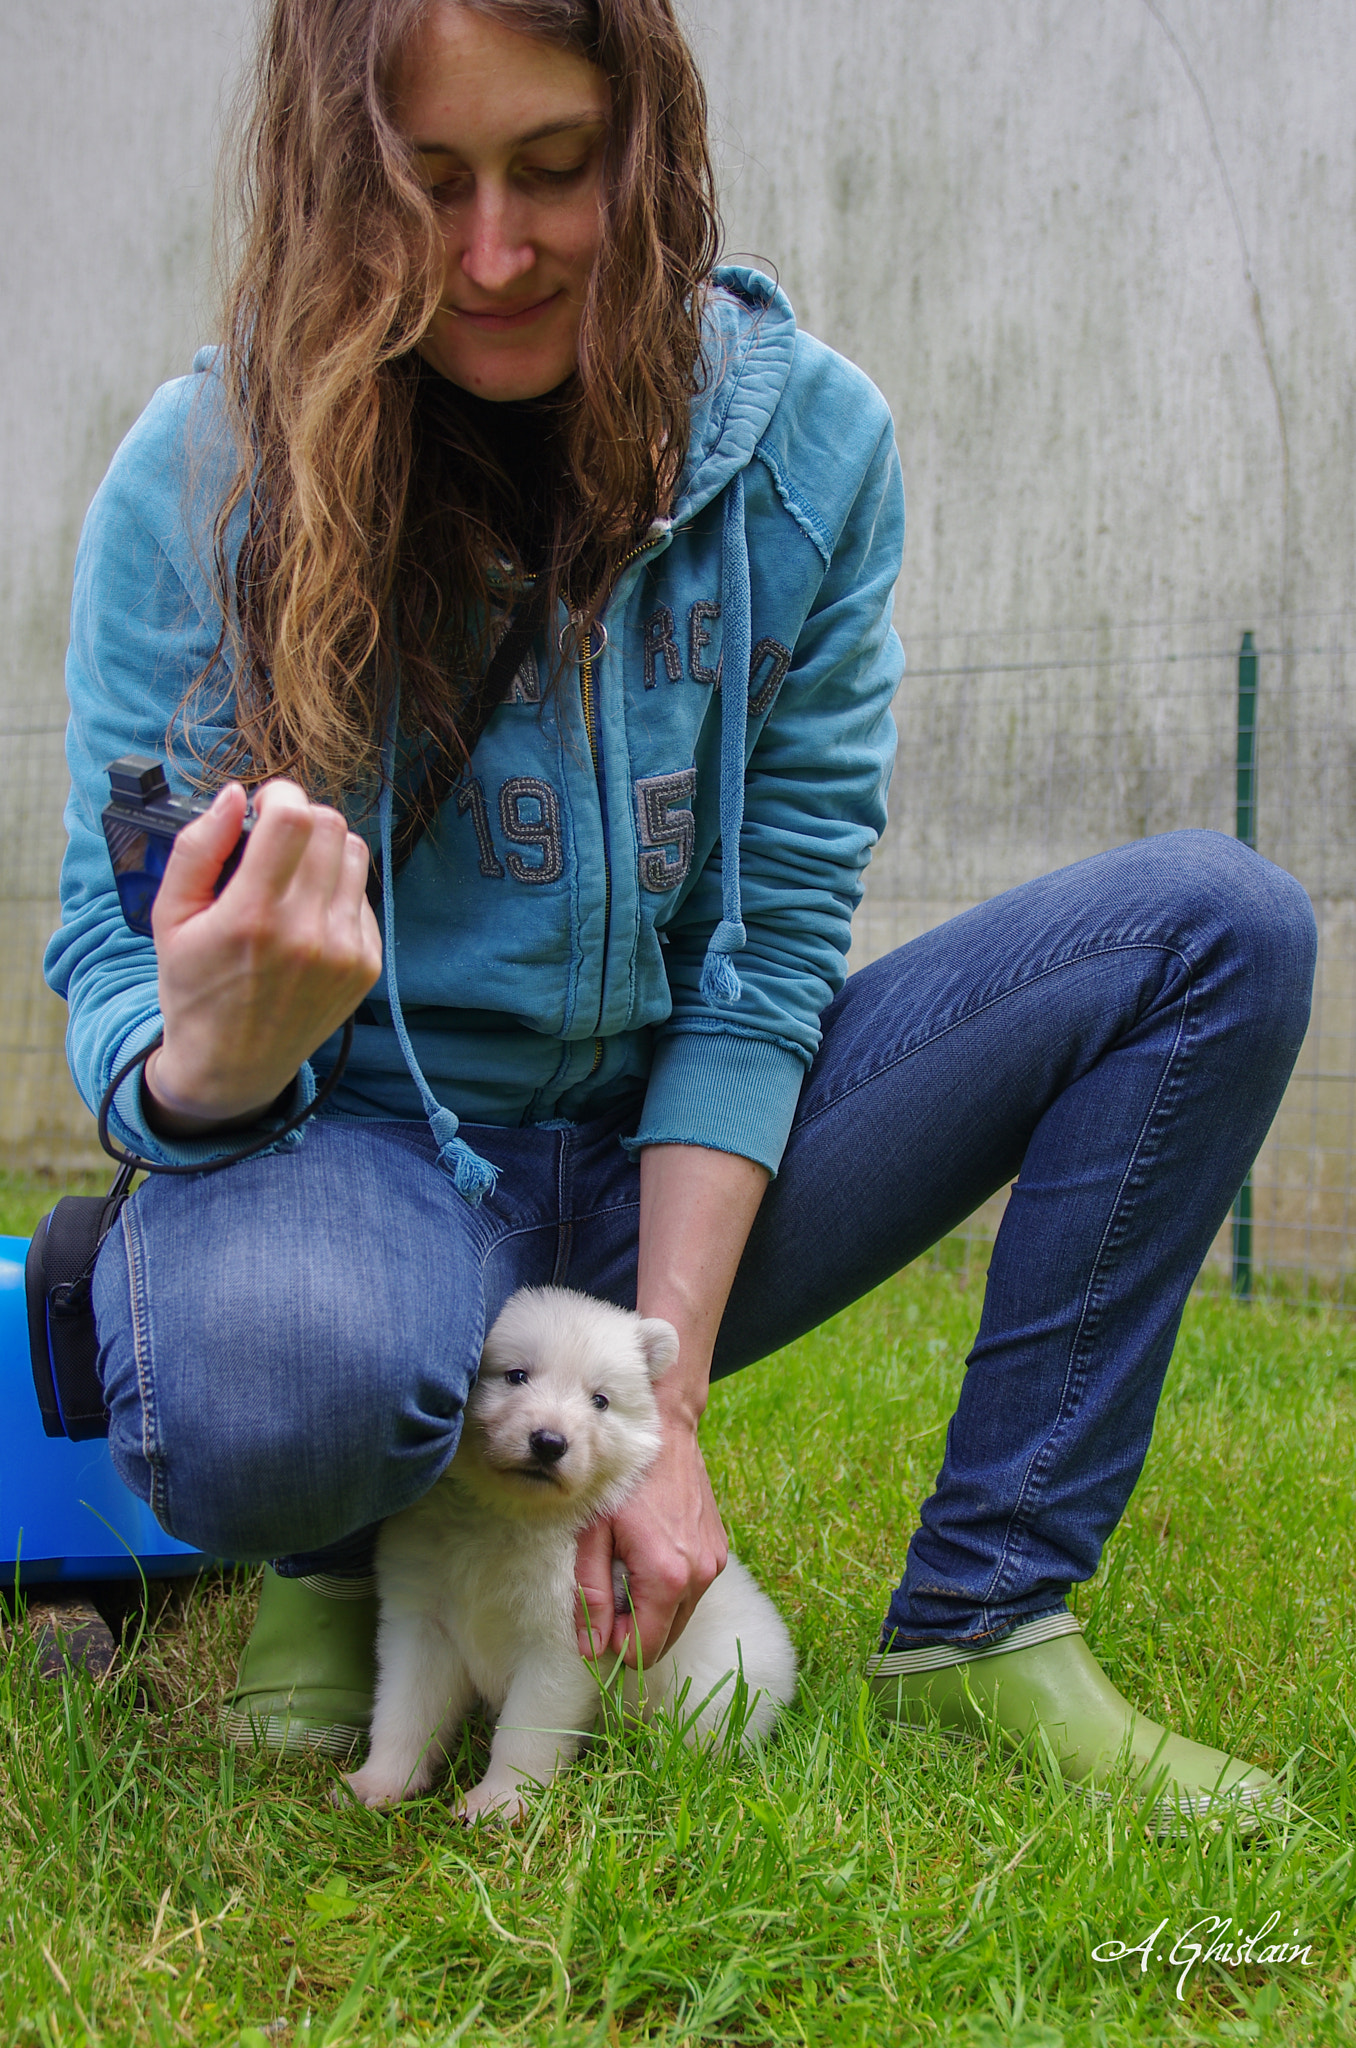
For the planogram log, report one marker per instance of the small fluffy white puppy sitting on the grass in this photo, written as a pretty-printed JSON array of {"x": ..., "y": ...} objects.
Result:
[{"x": 478, "y": 1580}]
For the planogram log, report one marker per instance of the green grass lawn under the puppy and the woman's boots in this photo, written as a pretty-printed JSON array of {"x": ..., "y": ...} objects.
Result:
[{"x": 849, "y": 1885}]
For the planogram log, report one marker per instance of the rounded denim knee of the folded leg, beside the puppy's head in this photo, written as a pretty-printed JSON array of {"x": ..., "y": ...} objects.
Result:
[{"x": 288, "y": 1347}]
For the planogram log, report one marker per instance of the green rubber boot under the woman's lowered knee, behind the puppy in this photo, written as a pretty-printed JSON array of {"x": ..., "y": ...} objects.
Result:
[{"x": 308, "y": 1672}]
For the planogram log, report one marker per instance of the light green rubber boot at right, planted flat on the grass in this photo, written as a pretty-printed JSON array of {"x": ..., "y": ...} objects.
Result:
[{"x": 1044, "y": 1676}]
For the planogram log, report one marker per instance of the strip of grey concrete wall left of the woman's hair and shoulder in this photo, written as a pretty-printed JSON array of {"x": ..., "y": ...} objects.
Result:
[{"x": 108, "y": 157}]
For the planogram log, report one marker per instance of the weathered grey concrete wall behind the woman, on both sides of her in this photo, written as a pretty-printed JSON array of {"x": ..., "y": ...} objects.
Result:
[{"x": 1101, "y": 261}]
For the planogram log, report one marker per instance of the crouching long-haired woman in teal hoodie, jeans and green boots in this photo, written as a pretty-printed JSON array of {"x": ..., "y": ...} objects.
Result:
[{"x": 484, "y": 386}]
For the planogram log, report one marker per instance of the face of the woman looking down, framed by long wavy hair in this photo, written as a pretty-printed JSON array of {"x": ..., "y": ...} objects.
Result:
[{"x": 509, "y": 134}]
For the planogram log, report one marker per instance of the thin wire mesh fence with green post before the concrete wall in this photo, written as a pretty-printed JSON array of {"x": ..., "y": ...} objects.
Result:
[{"x": 1017, "y": 755}]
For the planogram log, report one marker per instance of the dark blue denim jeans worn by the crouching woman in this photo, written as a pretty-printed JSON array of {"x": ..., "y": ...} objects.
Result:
[{"x": 288, "y": 1347}]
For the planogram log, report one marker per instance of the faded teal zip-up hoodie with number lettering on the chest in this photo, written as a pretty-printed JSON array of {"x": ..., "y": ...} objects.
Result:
[{"x": 570, "y": 935}]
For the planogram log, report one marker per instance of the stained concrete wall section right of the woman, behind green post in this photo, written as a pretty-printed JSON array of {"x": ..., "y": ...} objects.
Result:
[{"x": 1101, "y": 261}]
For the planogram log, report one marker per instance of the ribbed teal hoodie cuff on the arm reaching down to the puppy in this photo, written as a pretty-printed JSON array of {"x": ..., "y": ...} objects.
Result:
[{"x": 724, "y": 1091}]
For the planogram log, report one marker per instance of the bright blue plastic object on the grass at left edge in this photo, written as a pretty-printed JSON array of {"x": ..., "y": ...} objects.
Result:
[{"x": 65, "y": 1512}]
